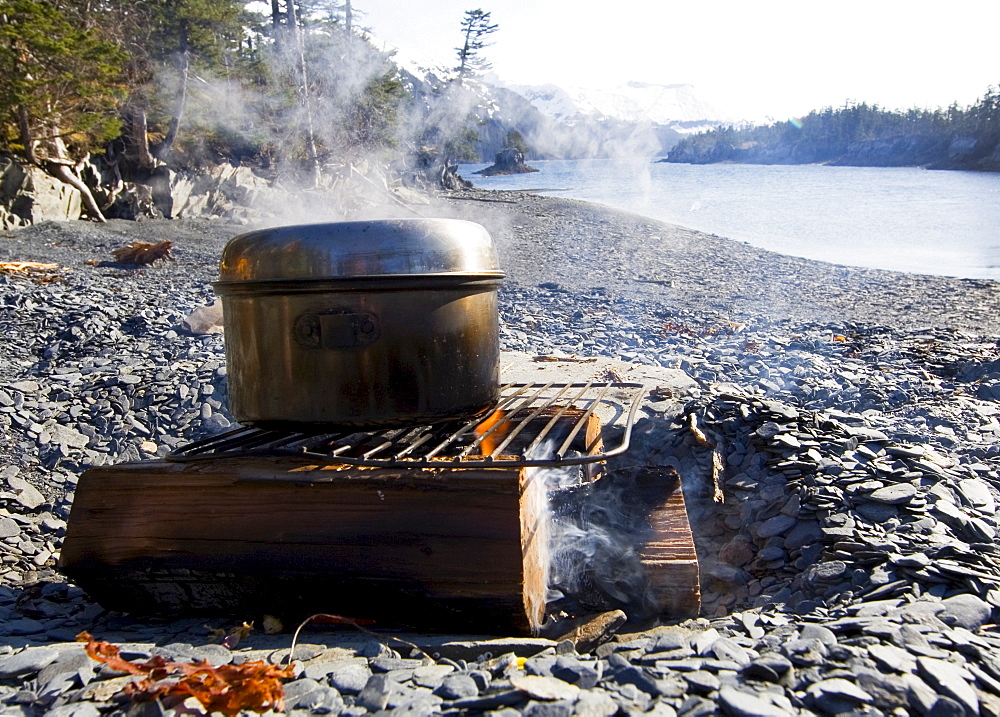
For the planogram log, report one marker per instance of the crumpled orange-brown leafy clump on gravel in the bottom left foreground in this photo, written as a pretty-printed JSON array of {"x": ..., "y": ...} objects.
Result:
[{"x": 229, "y": 689}]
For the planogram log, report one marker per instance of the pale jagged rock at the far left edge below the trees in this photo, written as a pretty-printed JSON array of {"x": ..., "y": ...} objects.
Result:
[{"x": 29, "y": 195}]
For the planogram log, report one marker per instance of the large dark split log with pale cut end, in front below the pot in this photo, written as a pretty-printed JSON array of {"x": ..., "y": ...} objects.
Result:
[{"x": 247, "y": 536}]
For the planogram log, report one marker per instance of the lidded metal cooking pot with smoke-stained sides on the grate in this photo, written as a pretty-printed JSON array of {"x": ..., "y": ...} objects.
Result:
[{"x": 361, "y": 324}]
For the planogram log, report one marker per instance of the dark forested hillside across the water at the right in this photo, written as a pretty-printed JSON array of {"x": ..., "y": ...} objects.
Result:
[{"x": 861, "y": 135}]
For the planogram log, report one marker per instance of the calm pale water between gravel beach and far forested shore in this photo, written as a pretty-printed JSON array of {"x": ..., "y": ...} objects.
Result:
[{"x": 929, "y": 222}]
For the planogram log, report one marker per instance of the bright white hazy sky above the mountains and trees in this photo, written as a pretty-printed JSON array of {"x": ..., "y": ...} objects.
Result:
[{"x": 768, "y": 58}]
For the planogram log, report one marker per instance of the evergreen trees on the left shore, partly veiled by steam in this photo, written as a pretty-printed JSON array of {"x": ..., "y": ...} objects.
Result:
[{"x": 100, "y": 93}]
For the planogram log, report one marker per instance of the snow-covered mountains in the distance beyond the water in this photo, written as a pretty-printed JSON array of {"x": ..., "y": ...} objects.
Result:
[{"x": 677, "y": 106}]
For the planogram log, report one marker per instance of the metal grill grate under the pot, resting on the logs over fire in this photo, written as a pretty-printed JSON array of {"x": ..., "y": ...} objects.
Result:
[{"x": 533, "y": 424}]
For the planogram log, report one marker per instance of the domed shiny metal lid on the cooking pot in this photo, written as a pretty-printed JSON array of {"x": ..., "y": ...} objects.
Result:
[{"x": 364, "y": 248}]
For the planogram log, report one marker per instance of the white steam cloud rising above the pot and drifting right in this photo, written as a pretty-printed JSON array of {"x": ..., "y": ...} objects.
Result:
[{"x": 376, "y": 128}]
